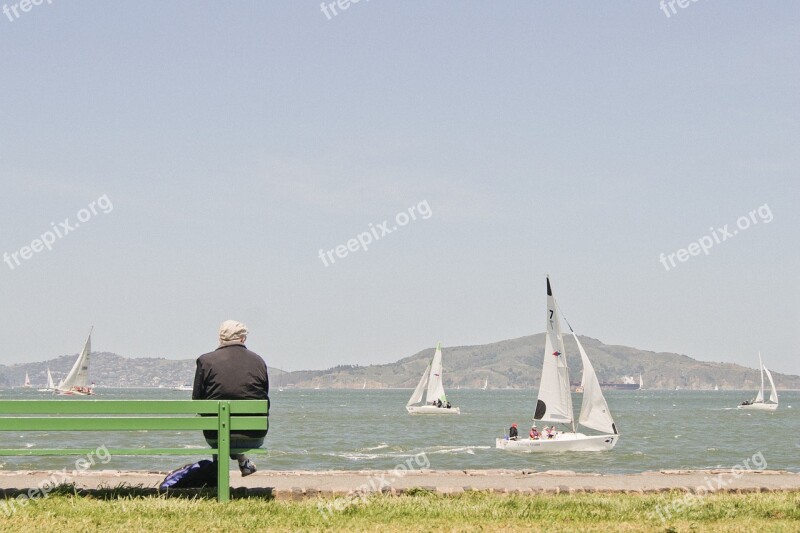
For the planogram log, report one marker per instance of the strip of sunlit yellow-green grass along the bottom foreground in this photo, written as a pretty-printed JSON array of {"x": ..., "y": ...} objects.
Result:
[{"x": 421, "y": 511}]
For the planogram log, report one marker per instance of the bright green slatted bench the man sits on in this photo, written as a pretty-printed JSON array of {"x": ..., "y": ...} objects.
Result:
[{"x": 136, "y": 415}]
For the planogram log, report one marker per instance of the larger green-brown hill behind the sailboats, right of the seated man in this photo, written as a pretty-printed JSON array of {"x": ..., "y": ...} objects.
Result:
[{"x": 516, "y": 363}]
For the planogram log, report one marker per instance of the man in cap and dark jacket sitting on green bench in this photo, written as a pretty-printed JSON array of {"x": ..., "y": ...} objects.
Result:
[{"x": 232, "y": 372}]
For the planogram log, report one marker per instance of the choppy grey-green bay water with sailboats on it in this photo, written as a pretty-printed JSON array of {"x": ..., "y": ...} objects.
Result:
[{"x": 370, "y": 429}]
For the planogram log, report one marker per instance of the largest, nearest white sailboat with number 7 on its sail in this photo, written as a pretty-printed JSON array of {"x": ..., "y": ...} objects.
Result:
[{"x": 554, "y": 403}]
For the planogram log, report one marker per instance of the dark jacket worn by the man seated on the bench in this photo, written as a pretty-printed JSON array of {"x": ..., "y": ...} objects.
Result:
[{"x": 231, "y": 373}]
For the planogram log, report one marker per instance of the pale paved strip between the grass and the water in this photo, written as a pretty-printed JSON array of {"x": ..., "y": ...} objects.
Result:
[{"x": 302, "y": 484}]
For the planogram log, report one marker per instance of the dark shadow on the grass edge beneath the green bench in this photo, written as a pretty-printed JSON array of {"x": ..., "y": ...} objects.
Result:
[{"x": 126, "y": 491}]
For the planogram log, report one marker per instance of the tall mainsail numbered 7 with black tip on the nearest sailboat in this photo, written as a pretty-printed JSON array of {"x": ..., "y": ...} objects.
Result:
[{"x": 554, "y": 403}]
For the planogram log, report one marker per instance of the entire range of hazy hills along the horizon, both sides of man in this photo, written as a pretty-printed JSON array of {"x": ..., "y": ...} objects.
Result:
[{"x": 514, "y": 363}]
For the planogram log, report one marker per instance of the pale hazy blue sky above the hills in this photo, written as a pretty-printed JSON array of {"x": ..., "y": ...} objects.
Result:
[{"x": 358, "y": 186}]
